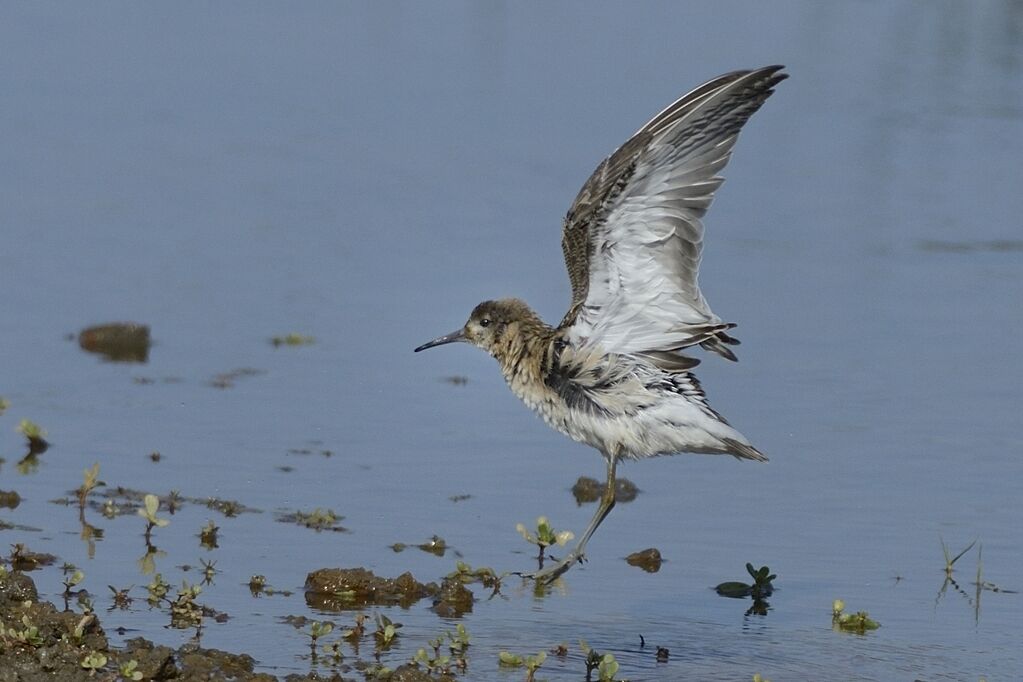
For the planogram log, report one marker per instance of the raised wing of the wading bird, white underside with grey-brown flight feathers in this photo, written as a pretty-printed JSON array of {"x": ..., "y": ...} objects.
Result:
[{"x": 634, "y": 237}]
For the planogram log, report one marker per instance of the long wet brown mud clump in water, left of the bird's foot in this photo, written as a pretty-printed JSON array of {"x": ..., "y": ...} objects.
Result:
[{"x": 353, "y": 588}]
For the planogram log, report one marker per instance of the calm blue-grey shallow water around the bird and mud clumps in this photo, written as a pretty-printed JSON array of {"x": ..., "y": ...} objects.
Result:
[{"x": 367, "y": 173}]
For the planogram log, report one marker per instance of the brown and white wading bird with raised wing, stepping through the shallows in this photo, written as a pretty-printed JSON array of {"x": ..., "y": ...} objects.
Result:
[{"x": 612, "y": 374}]
